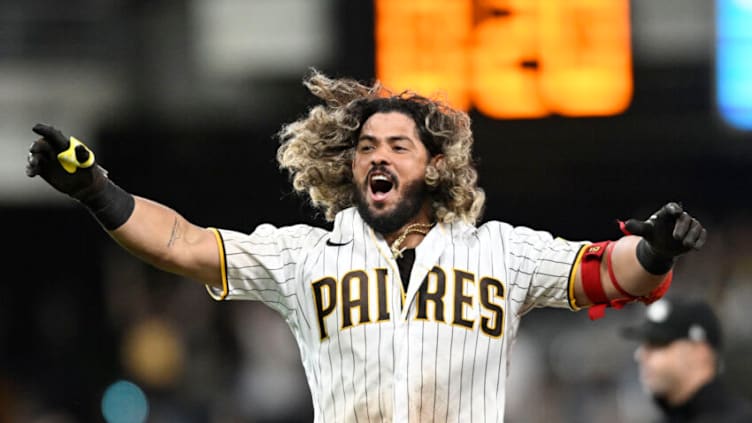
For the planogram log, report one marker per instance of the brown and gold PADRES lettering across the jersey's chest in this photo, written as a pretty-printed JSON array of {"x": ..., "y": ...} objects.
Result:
[{"x": 439, "y": 298}]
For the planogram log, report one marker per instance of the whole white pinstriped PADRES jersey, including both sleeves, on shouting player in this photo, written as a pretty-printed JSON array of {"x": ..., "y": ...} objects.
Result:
[{"x": 373, "y": 353}]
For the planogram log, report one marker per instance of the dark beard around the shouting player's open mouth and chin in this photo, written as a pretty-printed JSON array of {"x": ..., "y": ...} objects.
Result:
[{"x": 386, "y": 223}]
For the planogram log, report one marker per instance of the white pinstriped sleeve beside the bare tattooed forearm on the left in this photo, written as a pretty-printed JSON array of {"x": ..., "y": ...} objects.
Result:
[{"x": 262, "y": 266}]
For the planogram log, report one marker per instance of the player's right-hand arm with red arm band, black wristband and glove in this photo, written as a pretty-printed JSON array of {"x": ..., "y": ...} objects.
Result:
[{"x": 637, "y": 266}]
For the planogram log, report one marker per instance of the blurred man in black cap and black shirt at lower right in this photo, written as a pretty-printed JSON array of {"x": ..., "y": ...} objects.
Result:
[{"x": 680, "y": 363}]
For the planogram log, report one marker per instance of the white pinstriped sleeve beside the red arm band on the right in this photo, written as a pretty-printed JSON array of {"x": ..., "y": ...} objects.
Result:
[{"x": 542, "y": 266}]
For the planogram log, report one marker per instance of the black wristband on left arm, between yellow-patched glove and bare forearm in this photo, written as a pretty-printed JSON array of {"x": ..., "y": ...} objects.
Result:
[{"x": 111, "y": 206}]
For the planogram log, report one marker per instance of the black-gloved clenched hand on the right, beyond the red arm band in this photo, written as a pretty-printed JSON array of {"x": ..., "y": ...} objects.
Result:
[{"x": 667, "y": 234}]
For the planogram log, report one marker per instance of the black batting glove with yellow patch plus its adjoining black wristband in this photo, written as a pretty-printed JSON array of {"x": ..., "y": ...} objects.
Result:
[{"x": 70, "y": 167}]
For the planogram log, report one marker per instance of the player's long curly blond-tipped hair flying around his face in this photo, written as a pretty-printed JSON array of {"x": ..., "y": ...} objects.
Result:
[{"x": 317, "y": 150}]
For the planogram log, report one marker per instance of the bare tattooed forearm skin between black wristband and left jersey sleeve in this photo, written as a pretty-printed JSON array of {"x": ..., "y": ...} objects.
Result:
[{"x": 163, "y": 238}]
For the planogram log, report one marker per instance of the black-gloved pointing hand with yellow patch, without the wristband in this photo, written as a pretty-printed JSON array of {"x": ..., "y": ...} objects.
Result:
[{"x": 65, "y": 163}]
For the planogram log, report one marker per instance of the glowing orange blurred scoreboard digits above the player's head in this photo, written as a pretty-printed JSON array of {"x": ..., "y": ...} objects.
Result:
[{"x": 509, "y": 59}]
